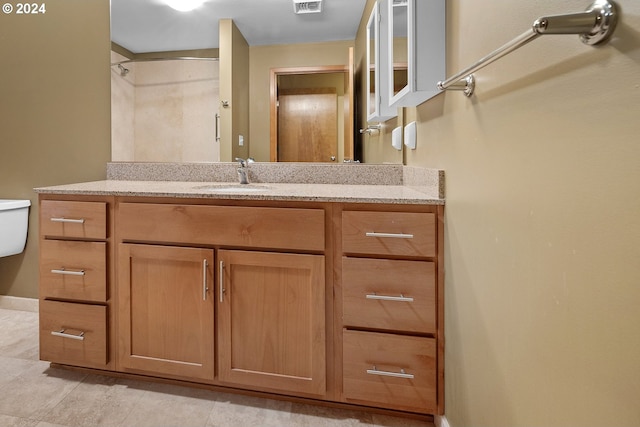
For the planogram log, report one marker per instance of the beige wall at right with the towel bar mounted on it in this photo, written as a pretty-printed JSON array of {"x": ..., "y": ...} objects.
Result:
[{"x": 542, "y": 220}]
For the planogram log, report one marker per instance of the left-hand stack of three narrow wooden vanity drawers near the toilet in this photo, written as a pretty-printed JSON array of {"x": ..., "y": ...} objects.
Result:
[{"x": 75, "y": 297}]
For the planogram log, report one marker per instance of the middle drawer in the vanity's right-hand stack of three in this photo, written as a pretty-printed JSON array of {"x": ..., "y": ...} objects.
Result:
[{"x": 389, "y": 294}]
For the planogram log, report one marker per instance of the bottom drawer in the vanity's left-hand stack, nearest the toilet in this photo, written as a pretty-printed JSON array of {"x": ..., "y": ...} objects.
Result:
[{"x": 73, "y": 334}]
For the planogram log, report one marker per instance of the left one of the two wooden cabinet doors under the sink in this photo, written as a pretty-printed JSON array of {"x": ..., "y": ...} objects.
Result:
[{"x": 166, "y": 310}]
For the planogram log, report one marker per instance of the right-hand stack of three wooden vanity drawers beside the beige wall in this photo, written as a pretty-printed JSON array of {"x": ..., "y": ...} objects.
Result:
[{"x": 392, "y": 319}]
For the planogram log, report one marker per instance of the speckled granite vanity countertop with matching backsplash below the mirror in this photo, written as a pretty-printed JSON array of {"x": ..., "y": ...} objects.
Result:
[{"x": 281, "y": 182}]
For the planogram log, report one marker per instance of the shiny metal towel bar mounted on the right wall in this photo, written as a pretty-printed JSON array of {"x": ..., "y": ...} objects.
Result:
[{"x": 595, "y": 26}]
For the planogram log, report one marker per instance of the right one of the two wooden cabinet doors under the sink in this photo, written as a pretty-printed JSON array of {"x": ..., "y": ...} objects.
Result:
[{"x": 272, "y": 321}]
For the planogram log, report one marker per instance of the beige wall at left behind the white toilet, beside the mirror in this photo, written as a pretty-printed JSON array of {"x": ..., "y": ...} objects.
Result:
[{"x": 54, "y": 112}]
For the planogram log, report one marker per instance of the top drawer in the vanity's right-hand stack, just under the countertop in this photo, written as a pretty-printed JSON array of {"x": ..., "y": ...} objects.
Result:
[{"x": 389, "y": 233}]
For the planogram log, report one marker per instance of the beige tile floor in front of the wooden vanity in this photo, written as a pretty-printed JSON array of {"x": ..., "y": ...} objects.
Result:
[{"x": 32, "y": 394}]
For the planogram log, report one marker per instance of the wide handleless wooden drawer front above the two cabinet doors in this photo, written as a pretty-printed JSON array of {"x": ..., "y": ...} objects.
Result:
[{"x": 280, "y": 228}]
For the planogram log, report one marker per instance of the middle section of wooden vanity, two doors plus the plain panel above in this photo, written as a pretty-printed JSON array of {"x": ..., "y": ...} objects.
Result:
[{"x": 265, "y": 303}]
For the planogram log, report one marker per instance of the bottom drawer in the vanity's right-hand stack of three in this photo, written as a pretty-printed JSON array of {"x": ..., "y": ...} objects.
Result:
[{"x": 377, "y": 368}]
